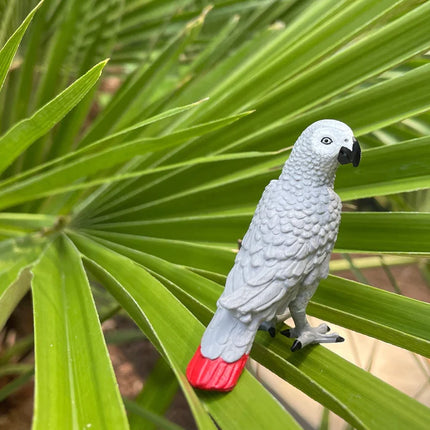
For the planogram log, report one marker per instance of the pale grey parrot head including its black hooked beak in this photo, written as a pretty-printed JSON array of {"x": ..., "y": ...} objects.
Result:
[{"x": 333, "y": 141}]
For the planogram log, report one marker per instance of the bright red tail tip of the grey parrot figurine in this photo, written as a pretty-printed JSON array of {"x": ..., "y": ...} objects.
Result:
[{"x": 217, "y": 374}]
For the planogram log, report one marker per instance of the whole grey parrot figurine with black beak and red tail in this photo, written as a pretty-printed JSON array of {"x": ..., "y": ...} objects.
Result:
[{"x": 283, "y": 256}]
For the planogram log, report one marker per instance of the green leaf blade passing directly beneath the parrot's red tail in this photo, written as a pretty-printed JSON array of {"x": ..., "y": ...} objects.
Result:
[{"x": 237, "y": 410}]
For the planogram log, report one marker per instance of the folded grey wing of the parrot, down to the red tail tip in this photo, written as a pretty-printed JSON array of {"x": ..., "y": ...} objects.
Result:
[{"x": 269, "y": 267}]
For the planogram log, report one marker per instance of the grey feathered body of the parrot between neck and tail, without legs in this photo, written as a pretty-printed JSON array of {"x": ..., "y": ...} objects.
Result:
[{"x": 287, "y": 247}]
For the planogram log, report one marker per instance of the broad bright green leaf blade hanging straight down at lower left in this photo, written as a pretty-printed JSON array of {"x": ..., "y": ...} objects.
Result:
[{"x": 68, "y": 338}]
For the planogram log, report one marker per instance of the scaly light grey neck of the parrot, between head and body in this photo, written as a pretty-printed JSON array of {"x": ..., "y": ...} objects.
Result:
[{"x": 302, "y": 169}]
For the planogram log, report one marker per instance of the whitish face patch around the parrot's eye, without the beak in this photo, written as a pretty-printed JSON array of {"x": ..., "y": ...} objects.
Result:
[{"x": 329, "y": 136}]
